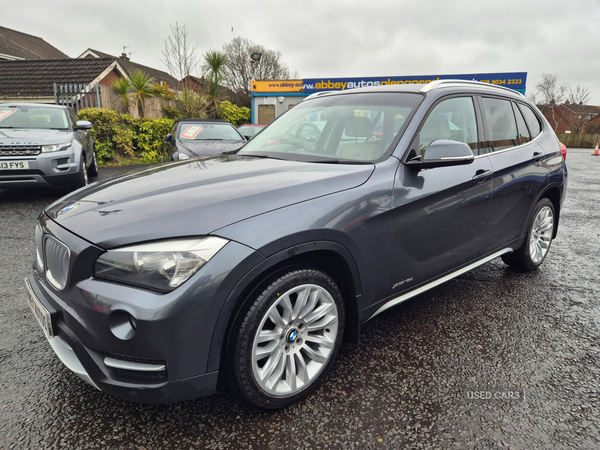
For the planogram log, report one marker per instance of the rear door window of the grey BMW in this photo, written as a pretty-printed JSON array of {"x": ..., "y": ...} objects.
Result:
[{"x": 501, "y": 123}]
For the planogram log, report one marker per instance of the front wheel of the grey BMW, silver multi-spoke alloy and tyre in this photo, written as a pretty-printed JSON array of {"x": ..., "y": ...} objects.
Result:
[{"x": 287, "y": 341}]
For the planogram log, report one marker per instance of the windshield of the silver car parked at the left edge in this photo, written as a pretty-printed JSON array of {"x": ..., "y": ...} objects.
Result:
[{"x": 36, "y": 117}]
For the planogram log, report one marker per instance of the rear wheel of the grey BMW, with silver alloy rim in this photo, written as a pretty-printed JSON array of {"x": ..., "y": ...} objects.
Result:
[{"x": 538, "y": 240}]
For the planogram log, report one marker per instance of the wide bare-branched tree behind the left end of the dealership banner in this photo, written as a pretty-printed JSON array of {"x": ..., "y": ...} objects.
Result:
[{"x": 240, "y": 70}]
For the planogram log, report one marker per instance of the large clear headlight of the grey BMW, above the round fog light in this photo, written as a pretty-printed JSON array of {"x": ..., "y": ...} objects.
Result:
[{"x": 161, "y": 265}]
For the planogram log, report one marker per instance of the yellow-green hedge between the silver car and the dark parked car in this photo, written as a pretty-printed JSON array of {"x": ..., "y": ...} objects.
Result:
[{"x": 119, "y": 136}]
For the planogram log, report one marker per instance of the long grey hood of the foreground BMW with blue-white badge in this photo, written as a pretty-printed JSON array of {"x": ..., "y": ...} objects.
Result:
[{"x": 196, "y": 197}]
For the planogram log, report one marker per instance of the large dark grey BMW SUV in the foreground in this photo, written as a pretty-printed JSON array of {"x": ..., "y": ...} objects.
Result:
[{"x": 250, "y": 268}]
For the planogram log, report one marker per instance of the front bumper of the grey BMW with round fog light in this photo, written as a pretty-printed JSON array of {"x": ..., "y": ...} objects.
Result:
[{"x": 163, "y": 355}]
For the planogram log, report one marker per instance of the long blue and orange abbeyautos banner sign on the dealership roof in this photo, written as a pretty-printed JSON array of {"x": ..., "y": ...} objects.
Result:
[{"x": 513, "y": 80}]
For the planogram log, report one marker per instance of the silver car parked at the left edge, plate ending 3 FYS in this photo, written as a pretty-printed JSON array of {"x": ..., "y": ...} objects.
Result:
[{"x": 46, "y": 146}]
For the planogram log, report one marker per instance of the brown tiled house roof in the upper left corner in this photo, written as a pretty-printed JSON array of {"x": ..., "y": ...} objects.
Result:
[{"x": 15, "y": 45}]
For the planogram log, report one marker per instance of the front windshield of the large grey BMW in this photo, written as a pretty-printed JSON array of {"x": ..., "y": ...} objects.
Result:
[{"x": 355, "y": 127}]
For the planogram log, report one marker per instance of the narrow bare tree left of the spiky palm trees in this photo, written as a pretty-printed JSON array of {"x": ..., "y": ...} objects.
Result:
[{"x": 179, "y": 55}]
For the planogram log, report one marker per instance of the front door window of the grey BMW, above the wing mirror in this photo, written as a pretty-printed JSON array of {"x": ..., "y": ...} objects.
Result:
[{"x": 452, "y": 119}]
